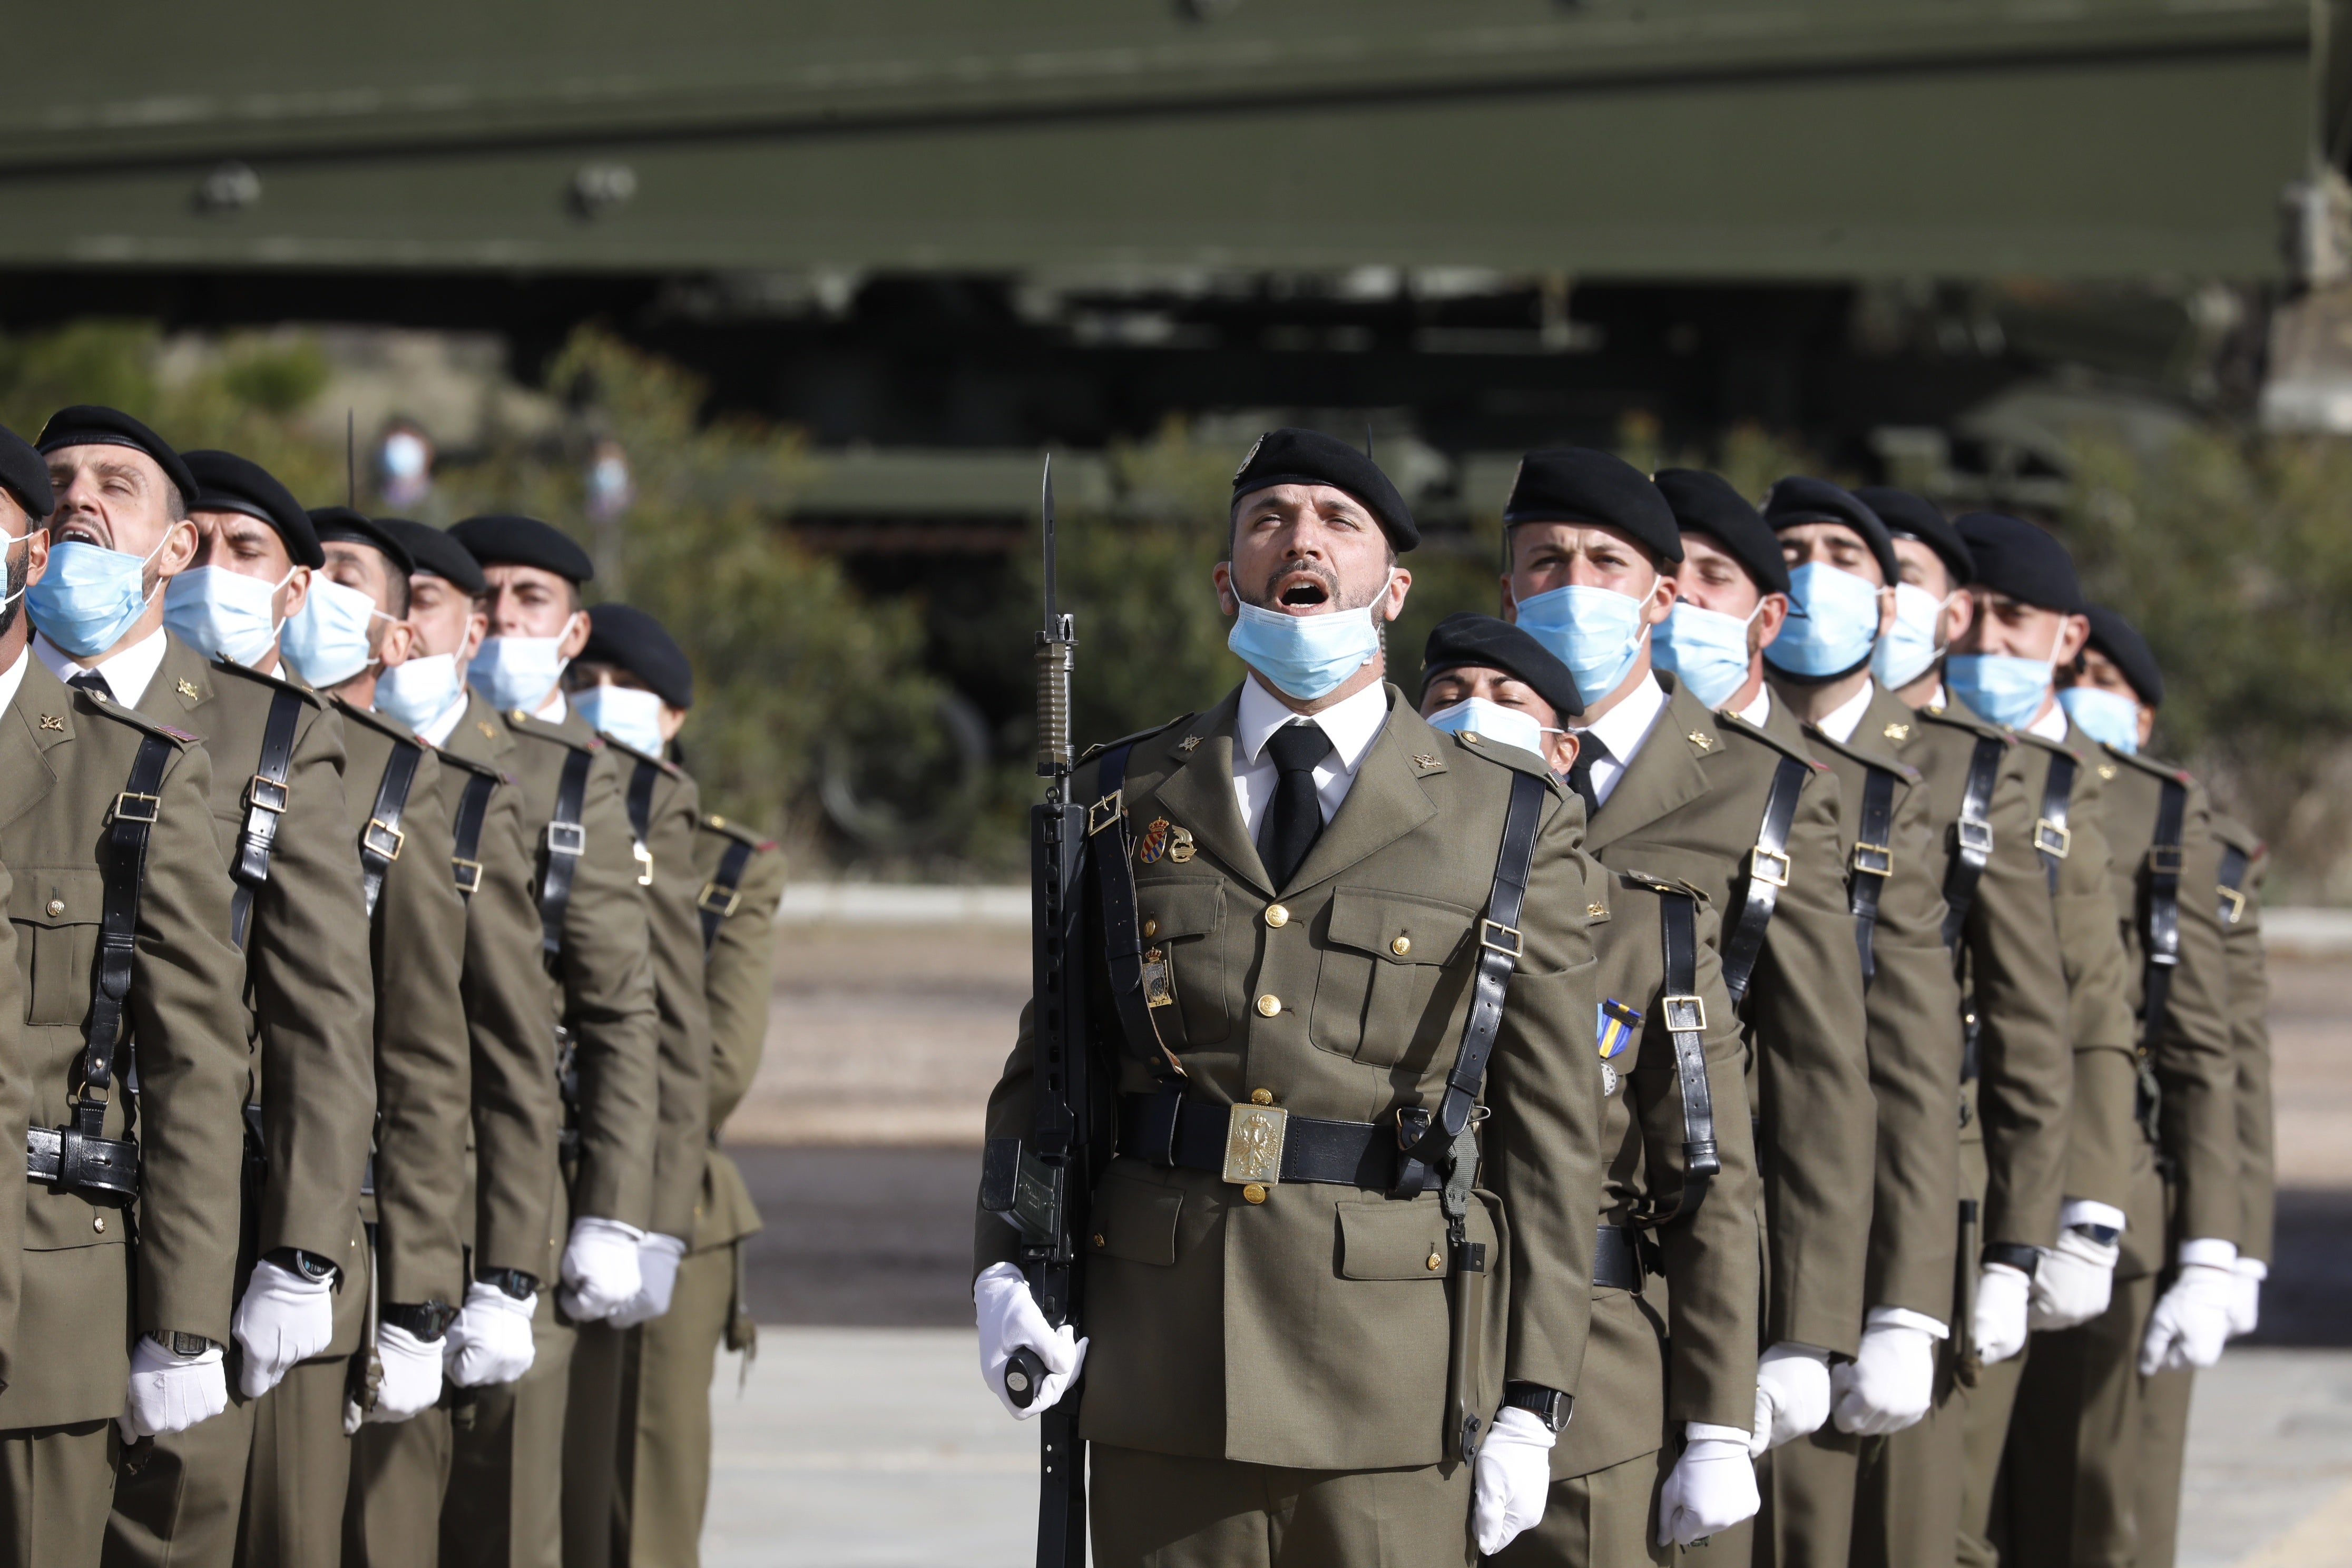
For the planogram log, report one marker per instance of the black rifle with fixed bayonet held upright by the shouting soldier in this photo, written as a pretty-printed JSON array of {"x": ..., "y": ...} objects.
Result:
[{"x": 1041, "y": 1186}]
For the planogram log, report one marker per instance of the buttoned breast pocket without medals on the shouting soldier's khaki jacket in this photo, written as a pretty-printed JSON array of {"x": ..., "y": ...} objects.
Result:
[{"x": 1377, "y": 996}]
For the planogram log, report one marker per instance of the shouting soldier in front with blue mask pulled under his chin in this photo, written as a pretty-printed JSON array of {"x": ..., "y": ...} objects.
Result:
[{"x": 1269, "y": 1362}]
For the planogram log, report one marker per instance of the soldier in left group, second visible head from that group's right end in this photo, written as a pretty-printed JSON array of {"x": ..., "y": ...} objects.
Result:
[{"x": 507, "y": 1485}]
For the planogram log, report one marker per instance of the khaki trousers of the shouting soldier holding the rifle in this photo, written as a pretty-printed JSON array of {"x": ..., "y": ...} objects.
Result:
[{"x": 1156, "y": 1510}]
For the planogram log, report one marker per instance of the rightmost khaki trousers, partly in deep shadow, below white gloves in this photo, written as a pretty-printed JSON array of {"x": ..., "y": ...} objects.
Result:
[{"x": 2071, "y": 1475}]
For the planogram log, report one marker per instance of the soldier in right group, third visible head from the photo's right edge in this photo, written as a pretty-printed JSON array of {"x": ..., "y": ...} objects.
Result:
[{"x": 2019, "y": 1068}]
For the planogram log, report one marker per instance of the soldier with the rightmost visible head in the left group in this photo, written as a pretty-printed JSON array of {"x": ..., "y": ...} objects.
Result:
[{"x": 634, "y": 688}]
